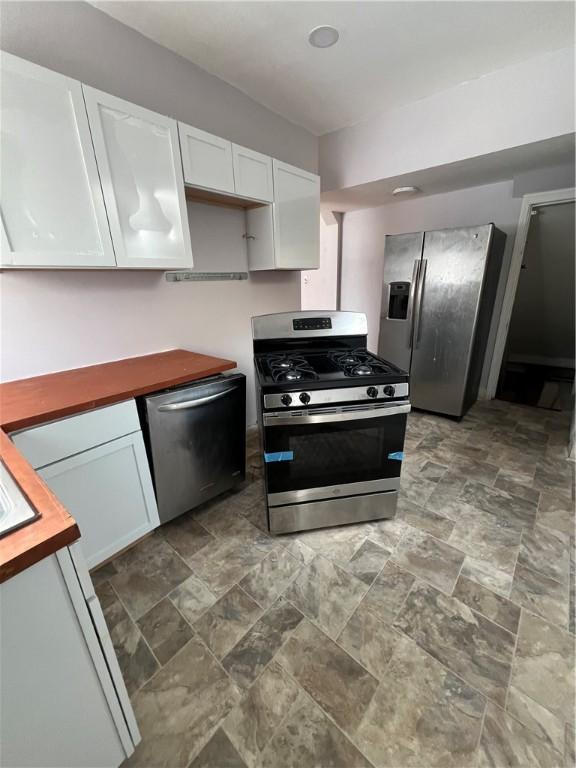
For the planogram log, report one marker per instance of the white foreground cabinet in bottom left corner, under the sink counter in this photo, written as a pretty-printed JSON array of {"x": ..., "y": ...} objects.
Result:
[{"x": 63, "y": 701}]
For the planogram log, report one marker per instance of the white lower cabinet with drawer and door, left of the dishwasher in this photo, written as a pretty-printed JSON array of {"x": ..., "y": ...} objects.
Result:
[{"x": 96, "y": 465}]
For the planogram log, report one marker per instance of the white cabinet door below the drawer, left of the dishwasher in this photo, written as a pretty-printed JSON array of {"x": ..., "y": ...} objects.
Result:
[{"x": 108, "y": 490}]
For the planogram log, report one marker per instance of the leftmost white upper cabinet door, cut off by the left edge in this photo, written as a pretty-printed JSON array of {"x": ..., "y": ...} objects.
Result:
[{"x": 51, "y": 201}]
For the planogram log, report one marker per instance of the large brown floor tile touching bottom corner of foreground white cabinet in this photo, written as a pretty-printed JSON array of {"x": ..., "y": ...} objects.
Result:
[{"x": 178, "y": 709}]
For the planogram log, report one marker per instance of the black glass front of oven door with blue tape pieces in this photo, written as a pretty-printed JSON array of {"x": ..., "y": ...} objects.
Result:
[{"x": 315, "y": 455}]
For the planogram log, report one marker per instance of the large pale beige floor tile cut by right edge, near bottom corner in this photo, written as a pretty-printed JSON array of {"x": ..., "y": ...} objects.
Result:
[{"x": 543, "y": 666}]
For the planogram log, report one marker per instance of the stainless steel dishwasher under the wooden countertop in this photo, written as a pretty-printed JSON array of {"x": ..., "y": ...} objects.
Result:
[{"x": 196, "y": 441}]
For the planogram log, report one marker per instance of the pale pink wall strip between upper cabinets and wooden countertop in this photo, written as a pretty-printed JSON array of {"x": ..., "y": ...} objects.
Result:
[{"x": 52, "y": 320}]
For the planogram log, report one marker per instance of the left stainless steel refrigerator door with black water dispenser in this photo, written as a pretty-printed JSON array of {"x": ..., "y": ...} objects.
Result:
[{"x": 402, "y": 255}]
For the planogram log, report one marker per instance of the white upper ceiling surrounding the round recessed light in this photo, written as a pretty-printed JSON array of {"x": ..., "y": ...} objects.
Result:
[{"x": 389, "y": 53}]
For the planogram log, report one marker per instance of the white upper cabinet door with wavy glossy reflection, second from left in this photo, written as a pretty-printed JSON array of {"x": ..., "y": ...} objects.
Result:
[{"x": 138, "y": 156}]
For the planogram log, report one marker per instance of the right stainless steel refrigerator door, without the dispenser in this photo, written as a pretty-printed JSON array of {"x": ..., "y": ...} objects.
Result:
[{"x": 446, "y": 313}]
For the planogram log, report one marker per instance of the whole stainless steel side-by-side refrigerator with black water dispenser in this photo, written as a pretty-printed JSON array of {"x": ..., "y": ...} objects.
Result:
[{"x": 437, "y": 300}]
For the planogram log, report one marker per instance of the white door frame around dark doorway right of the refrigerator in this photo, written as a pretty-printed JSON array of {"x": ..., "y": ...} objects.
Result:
[{"x": 529, "y": 202}]
